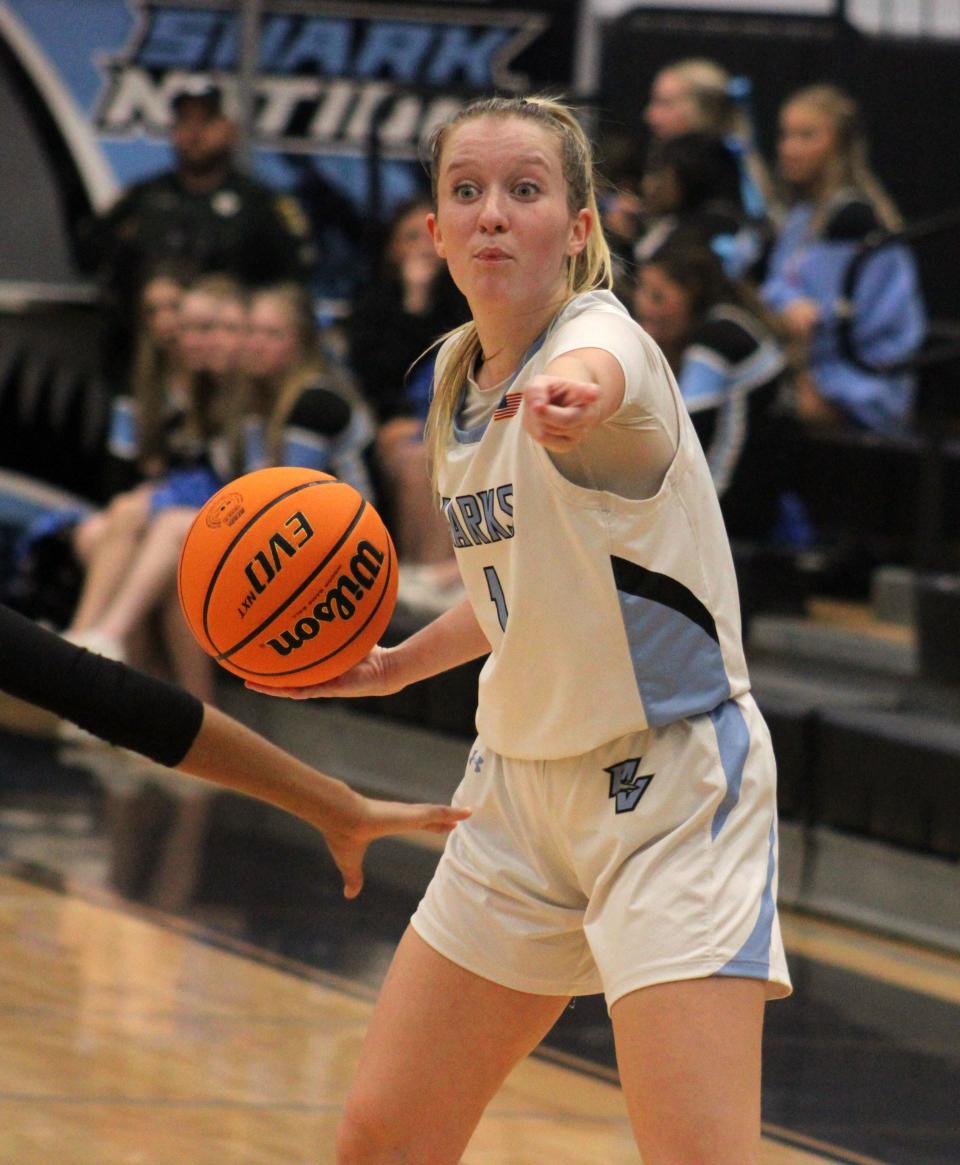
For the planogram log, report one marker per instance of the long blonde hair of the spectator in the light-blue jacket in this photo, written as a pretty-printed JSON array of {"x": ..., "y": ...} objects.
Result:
[{"x": 850, "y": 167}]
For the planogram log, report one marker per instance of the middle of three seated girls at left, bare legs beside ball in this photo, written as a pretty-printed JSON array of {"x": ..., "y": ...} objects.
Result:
[{"x": 130, "y": 550}]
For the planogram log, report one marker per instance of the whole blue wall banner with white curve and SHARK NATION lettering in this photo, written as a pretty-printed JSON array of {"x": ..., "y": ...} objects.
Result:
[{"x": 336, "y": 82}]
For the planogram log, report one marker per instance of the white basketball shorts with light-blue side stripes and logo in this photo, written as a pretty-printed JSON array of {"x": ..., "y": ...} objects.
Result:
[{"x": 651, "y": 860}]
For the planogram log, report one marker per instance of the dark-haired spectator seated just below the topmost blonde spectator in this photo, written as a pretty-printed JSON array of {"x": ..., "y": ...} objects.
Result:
[{"x": 691, "y": 192}]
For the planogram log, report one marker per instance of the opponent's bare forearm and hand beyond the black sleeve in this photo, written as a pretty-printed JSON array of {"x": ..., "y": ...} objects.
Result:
[{"x": 232, "y": 756}]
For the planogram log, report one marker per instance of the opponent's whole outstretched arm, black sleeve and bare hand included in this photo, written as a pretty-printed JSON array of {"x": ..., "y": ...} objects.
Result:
[{"x": 172, "y": 728}]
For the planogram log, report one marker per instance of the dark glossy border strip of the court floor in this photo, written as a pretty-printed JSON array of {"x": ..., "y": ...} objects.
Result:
[{"x": 850, "y": 1061}]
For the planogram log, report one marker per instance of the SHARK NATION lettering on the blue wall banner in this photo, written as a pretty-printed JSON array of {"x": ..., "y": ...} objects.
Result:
[{"x": 330, "y": 76}]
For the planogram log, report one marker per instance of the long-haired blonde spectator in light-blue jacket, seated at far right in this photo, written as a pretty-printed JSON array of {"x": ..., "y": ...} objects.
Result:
[{"x": 837, "y": 203}]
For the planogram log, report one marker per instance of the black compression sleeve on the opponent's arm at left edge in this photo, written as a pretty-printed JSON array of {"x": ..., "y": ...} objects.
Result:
[{"x": 110, "y": 700}]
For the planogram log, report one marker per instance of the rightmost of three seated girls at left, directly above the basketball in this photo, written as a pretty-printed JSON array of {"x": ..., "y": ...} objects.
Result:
[{"x": 301, "y": 408}]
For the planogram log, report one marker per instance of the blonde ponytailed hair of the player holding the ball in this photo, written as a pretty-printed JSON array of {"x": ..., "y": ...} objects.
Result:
[{"x": 591, "y": 269}]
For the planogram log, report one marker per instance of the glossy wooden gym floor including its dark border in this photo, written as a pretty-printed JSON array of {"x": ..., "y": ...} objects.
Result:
[{"x": 228, "y": 1030}]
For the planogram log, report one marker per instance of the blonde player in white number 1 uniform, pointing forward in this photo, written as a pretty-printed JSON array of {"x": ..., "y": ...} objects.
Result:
[{"x": 624, "y": 836}]
